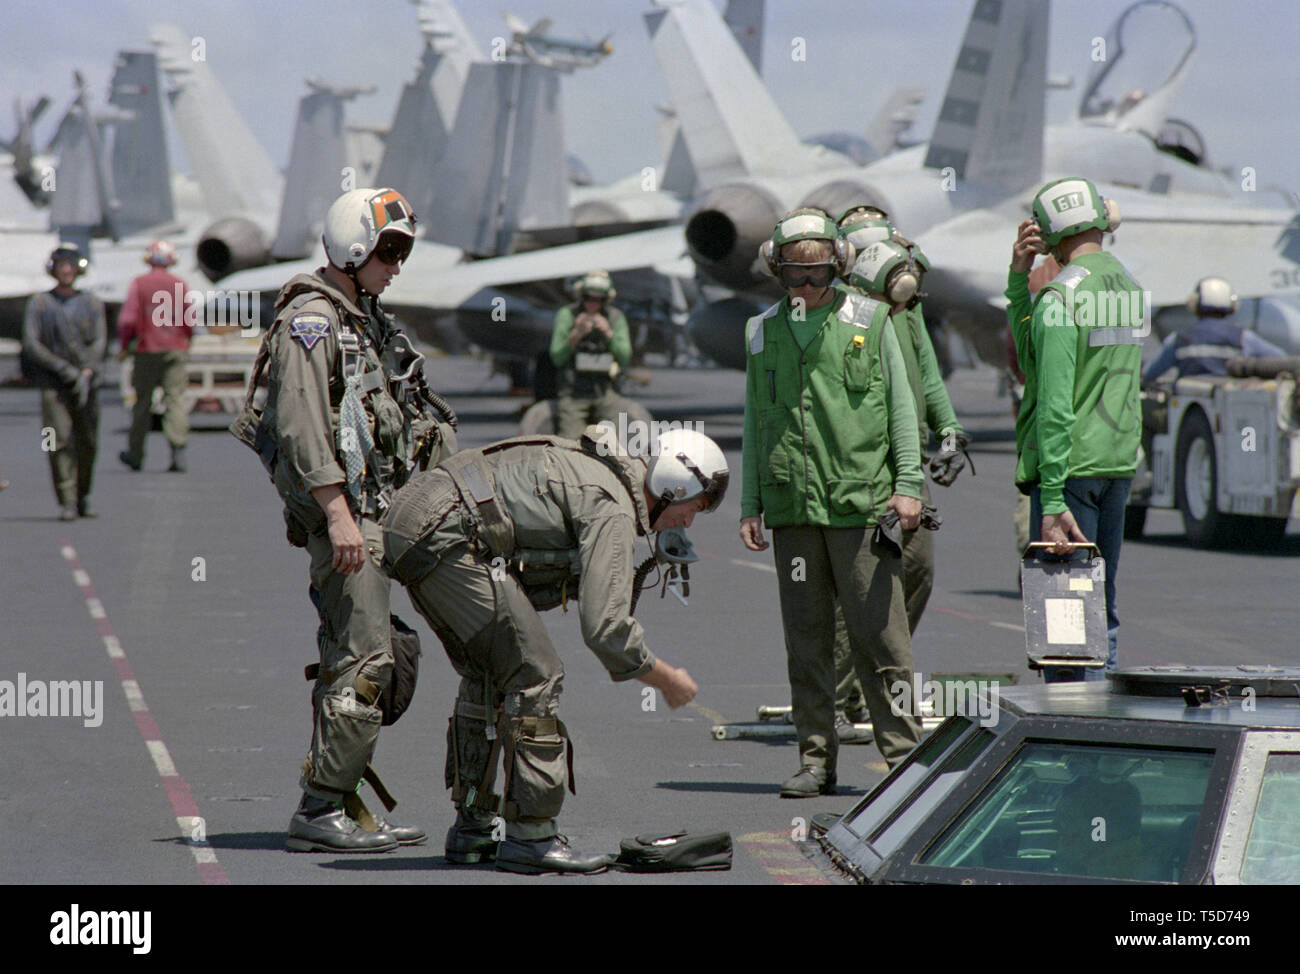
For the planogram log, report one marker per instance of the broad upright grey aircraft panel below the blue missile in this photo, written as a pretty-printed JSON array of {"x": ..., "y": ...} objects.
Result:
[{"x": 506, "y": 159}]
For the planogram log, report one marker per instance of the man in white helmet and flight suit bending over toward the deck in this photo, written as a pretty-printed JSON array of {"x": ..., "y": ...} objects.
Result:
[{"x": 483, "y": 543}]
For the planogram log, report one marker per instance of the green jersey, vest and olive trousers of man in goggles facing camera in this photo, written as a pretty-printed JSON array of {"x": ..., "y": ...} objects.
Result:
[{"x": 830, "y": 436}]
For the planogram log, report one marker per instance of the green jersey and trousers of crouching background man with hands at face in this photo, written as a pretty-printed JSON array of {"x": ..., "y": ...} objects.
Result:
[{"x": 587, "y": 392}]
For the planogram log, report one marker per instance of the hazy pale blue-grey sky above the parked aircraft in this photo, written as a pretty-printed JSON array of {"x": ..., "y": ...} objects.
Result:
[{"x": 1240, "y": 94}]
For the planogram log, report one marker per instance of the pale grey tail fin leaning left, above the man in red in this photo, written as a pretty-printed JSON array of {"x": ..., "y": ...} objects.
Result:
[{"x": 233, "y": 171}]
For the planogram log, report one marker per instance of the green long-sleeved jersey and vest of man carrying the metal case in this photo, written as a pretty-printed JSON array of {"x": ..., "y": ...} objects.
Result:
[{"x": 1080, "y": 343}]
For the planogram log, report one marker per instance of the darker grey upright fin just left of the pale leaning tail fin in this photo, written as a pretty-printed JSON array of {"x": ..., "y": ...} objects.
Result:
[{"x": 138, "y": 159}]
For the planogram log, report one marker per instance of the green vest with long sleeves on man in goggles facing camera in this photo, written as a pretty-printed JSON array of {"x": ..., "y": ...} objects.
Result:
[{"x": 831, "y": 430}]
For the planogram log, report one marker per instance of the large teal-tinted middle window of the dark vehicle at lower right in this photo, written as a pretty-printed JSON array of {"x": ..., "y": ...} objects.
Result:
[{"x": 1085, "y": 811}]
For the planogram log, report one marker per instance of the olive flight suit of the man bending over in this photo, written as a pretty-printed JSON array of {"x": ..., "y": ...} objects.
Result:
[{"x": 575, "y": 523}]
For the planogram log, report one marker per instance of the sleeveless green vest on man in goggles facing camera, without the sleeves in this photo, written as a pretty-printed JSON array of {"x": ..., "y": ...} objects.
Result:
[{"x": 824, "y": 418}]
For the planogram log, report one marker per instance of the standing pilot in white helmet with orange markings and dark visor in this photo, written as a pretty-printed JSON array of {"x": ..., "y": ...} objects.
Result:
[{"x": 348, "y": 421}]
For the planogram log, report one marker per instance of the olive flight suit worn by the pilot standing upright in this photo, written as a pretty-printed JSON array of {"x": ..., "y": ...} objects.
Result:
[{"x": 304, "y": 413}]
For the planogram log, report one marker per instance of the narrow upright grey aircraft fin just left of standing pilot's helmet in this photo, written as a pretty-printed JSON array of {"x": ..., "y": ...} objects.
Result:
[{"x": 315, "y": 176}]
